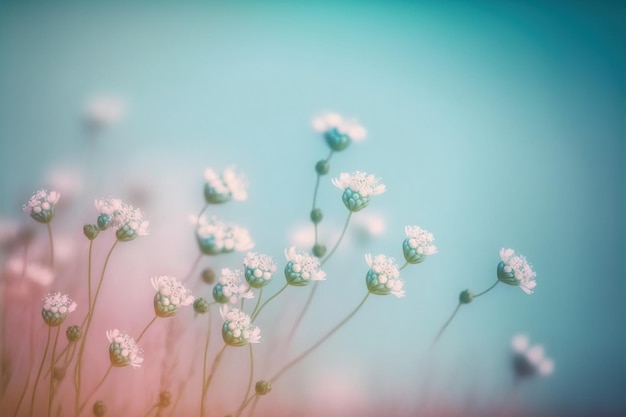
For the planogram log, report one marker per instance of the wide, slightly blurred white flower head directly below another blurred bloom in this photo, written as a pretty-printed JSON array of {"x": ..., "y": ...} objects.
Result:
[{"x": 215, "y": 237}]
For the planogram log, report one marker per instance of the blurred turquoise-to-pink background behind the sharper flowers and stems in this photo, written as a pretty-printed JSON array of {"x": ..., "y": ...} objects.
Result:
[{"x": 493, "y": 124}]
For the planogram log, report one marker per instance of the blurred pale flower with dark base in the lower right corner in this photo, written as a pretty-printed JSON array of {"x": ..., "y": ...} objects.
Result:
[{"x": 529, "y": 360}]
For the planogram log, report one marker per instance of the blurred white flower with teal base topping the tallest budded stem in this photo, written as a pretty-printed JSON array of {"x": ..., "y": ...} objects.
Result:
[{"x": 338, "y": 131}]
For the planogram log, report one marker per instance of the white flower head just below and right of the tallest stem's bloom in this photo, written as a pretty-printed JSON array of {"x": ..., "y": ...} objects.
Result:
[{"x": 357, "y": 189}]
